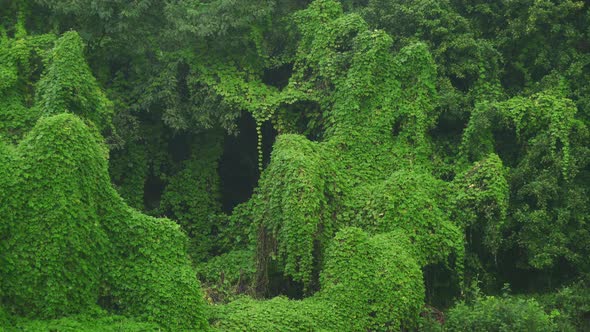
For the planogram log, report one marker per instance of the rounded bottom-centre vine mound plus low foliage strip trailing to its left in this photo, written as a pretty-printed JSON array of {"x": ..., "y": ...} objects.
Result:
[{"x": 369, "y": 283}]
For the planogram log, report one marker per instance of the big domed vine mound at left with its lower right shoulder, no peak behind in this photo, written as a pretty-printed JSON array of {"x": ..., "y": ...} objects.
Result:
[{"x": 72, "y": 243}]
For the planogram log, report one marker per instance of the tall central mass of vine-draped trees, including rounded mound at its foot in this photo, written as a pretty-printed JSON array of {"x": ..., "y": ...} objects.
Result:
[{"x": 369, "y": 97}]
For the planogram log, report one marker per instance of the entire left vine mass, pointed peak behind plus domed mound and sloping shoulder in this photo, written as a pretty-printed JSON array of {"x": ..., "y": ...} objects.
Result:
[{"x": 96, "y": 251}]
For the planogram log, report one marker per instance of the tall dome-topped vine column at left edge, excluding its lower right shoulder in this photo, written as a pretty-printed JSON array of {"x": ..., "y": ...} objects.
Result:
[{"x": 56, "y": 211}]
